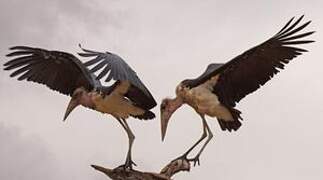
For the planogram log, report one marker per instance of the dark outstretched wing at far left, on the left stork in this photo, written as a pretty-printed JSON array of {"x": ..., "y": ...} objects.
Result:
[{"x": 59, "y": 71}]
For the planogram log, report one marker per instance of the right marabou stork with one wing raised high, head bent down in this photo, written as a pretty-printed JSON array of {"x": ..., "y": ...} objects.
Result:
[{"x": 216, "y": 92}]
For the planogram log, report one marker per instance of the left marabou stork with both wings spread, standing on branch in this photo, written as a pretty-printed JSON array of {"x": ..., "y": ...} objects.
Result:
[{"x": 65, "y": 73}]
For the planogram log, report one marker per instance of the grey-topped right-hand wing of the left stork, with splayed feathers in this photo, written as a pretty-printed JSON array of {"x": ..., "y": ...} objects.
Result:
[{"x": 114, "y": 67}]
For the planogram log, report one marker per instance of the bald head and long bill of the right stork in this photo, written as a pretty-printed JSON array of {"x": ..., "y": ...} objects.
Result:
[{"x": 167, "y": 108}]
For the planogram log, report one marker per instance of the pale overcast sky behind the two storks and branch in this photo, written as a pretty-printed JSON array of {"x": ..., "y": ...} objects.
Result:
[{"x": 165, "y": 42}]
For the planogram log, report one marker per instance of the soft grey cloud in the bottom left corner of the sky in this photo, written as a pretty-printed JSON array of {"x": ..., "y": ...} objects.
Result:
[{"x": 25, "y": 157}]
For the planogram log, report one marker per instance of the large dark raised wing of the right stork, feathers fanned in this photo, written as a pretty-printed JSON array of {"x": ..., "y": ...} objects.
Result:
[{"x": 247, "y": 72}]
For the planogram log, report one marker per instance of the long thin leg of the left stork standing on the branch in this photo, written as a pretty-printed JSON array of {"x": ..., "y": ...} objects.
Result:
[{"x": 131, "y": 137}]
